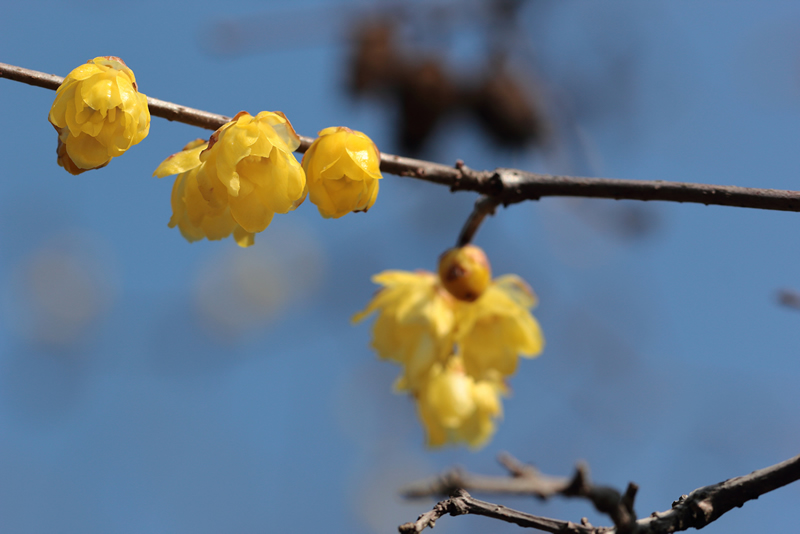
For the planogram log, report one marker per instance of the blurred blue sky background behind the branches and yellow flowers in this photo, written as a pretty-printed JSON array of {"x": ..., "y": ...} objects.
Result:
[{"x": 150, "y": 385}]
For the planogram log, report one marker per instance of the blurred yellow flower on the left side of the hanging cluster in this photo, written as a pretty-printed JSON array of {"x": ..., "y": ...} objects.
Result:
[{"x": 414, "y": 324}]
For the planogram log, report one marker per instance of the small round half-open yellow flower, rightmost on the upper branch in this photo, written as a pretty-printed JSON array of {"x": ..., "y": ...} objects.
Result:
[{"x": 343, "y": 169}]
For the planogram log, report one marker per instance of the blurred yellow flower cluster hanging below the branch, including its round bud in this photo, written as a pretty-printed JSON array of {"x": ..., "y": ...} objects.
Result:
[{"x": 457, "y": 335}]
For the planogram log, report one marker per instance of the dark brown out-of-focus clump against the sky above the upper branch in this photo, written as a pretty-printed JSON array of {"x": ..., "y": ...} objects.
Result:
[{"x": 426, "y": 93}]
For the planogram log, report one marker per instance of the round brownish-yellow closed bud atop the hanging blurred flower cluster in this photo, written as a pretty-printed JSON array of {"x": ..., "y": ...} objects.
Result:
[{"x": 465, "y": 272}]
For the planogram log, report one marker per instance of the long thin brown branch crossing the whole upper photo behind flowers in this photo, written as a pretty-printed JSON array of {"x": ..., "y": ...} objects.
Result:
[{"x": 506, "y": 186}]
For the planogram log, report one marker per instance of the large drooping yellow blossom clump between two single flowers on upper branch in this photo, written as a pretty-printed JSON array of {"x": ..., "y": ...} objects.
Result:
[{"x": 238, "y": 180}]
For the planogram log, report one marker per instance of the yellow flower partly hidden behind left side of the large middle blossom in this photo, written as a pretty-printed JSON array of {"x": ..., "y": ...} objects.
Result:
[{"x": 191, "y": 213}]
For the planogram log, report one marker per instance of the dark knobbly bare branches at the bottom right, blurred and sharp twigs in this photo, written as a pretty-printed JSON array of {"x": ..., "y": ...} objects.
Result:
[{"x": 696, "y": 510}]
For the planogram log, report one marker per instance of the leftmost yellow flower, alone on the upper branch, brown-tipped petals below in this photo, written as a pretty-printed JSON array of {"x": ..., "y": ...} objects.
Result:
[{"x": 99, "y": 114}]
